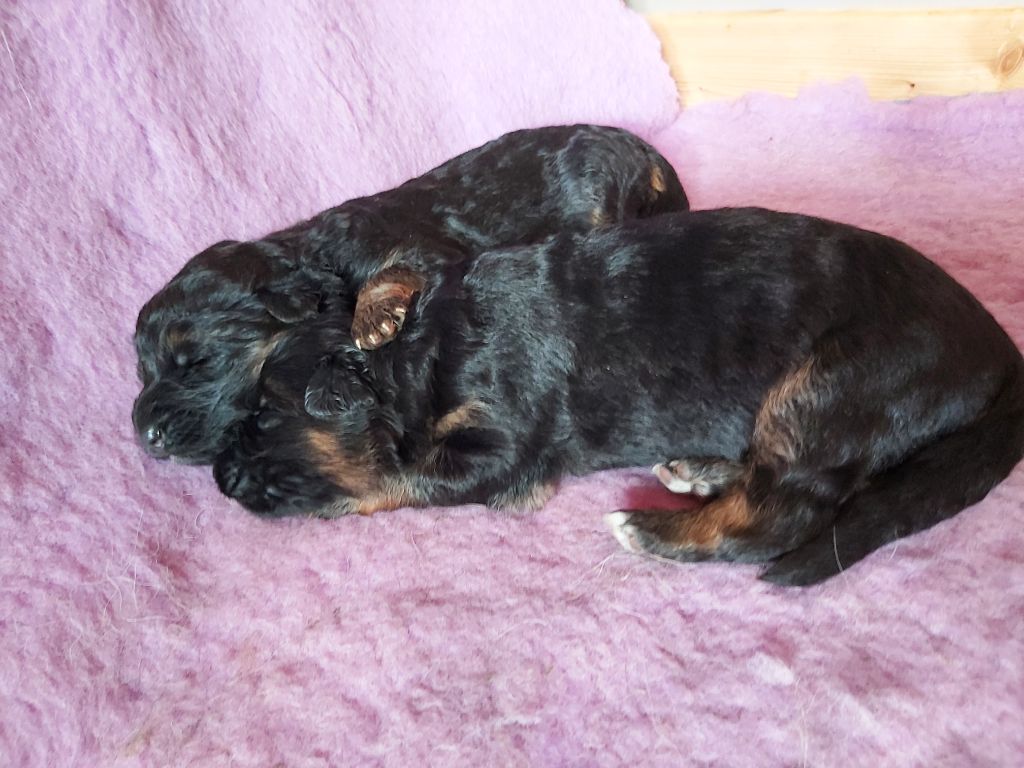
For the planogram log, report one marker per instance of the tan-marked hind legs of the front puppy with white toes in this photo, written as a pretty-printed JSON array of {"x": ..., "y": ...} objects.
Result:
[{"x": 791, "y": 488}]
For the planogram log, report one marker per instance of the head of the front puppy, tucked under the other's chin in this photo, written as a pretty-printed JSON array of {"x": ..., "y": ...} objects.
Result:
[{"x": 285, "y": 459}]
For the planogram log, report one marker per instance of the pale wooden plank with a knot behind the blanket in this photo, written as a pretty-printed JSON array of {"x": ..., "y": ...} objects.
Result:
[{"x": 899, "y": 54}]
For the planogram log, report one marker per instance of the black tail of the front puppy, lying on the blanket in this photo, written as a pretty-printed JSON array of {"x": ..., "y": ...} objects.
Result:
[{"x": 935, "y": 484}]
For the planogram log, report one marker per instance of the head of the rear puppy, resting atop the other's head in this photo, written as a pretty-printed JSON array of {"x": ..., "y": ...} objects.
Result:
[{"x": 202, "y": 342}]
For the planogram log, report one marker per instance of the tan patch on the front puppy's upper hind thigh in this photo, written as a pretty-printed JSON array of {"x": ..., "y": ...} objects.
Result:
[{"x": 777, "y": 428}]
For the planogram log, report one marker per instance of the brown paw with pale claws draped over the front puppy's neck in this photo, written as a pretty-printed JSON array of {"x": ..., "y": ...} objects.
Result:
[{"x": 382, "y": 306}]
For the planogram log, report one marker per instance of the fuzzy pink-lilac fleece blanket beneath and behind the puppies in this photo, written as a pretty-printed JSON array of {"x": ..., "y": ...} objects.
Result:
[{"x": 147, "y": 621}]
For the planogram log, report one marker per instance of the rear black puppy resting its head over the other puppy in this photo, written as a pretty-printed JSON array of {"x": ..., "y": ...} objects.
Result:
[{"x": 203, "y": 339}]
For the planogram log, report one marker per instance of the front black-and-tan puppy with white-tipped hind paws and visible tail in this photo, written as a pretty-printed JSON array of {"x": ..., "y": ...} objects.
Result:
[{"x": 826, "y": 389}]
